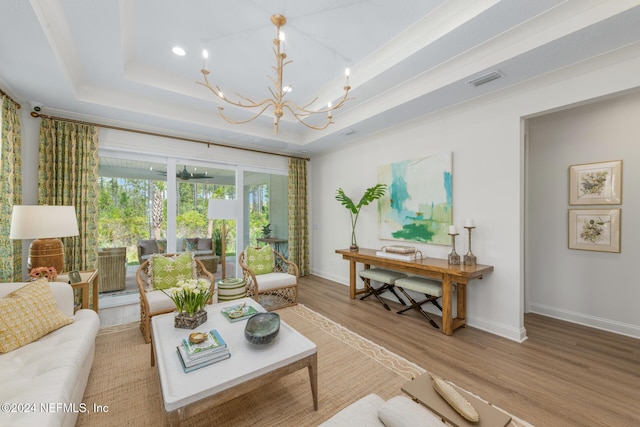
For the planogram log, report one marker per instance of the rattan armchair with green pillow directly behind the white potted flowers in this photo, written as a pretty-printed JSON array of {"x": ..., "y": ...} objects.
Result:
[{"x": 153, "y": 277}]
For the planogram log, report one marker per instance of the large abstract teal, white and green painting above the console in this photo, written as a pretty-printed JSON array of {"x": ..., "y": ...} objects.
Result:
[{"x": 418, "y": 204}]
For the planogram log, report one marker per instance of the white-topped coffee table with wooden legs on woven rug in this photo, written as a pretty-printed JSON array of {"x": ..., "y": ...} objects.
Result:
[{"x": 250, "y": 366}]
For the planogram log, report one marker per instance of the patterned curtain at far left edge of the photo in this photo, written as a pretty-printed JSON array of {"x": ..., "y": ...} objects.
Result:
[{"x": 10, "y": 190}]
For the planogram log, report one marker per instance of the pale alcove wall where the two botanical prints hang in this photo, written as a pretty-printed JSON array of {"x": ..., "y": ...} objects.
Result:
[{"x": 593, "y": 288}]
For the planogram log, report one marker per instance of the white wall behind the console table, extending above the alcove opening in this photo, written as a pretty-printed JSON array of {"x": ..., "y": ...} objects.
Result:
[{"x": 485, "y": 137}]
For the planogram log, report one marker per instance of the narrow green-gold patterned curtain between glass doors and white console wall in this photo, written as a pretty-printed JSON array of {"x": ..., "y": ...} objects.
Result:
[{"x": 298, "y": 215}]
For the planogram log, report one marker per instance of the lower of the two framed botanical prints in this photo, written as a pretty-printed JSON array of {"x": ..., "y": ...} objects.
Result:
[{"x": 594, "y": 230}]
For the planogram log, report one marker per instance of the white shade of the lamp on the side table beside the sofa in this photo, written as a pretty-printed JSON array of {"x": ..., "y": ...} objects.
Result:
[{"x": 44, "y": 221}]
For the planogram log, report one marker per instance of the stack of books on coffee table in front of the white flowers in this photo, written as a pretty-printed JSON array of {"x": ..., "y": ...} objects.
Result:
[{"x": 194, "y": 356}]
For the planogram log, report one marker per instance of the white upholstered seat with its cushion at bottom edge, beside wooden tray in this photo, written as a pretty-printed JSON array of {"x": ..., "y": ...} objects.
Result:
[{"x": 372, "y": 411}]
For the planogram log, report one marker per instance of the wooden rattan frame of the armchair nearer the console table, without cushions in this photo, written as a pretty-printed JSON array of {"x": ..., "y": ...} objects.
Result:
[{"x": 281, "y": 297}]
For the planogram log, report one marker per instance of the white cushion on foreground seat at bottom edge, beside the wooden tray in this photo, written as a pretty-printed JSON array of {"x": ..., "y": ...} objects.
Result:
[{"x": 400, "y": 411}]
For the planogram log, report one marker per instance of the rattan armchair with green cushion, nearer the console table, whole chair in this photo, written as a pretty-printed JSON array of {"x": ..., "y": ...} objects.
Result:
[{"x": 270, "y": 279}]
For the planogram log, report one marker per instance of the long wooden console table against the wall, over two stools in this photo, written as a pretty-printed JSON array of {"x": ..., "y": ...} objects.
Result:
[{"x": 431, "y": 267}]
